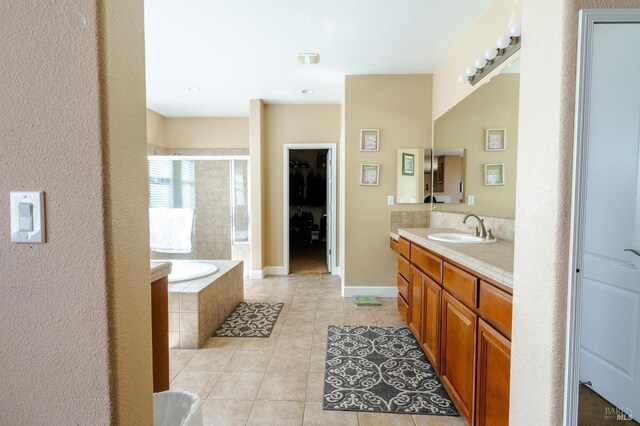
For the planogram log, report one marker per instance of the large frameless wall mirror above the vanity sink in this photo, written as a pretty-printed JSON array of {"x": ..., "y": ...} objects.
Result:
[{"x": 484, "y": 126}]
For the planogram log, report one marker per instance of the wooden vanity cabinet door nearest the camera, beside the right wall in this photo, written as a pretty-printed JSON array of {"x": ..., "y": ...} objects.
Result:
[{"x": 493, "y": 377}]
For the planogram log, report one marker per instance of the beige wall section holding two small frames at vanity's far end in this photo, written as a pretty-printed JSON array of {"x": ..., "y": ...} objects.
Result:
[{"x": 400, "y": 106}]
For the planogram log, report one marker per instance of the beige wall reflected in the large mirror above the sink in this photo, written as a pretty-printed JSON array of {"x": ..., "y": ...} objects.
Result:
[{"x": 494, "y": 105}]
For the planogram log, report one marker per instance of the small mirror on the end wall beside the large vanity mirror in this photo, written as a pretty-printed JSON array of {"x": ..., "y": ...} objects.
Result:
[{"x": 413, "y": 176}]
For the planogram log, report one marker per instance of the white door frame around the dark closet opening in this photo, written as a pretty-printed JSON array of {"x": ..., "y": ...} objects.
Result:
[{"x": 331, "y": 216}]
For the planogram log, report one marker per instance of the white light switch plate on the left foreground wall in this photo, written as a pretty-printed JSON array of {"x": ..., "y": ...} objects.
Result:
[{"x": 36, "y": 200}]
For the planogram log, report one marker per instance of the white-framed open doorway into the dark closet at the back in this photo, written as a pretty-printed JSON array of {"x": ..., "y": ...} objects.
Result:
[{"x": 309, "y": 197}]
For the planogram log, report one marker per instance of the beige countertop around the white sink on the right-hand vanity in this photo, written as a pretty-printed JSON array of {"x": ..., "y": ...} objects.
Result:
[{"x": 492, "y": 260}]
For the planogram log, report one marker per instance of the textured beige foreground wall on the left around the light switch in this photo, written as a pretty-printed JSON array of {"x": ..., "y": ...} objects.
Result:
[{"x": 71, "y": 307}]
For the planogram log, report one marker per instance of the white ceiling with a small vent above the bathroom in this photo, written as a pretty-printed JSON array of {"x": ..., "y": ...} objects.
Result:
[{"x": 207, "y": 58}]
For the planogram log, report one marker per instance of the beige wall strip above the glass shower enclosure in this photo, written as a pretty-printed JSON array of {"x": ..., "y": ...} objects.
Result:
[{"x": 209, "y": 132}]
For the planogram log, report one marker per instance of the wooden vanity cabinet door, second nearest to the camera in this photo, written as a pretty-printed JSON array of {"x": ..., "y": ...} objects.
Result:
[{"x": 458, "y": 346}]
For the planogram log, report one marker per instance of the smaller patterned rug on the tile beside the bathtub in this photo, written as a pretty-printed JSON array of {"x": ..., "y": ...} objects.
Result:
[{"x": 250, "y": 320}]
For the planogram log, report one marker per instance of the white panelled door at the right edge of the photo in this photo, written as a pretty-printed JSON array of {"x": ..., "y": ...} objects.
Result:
[{"x": 610, "y": 336}]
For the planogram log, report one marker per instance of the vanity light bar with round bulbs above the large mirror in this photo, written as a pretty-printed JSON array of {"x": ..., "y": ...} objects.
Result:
[{"x": 505, "y": 47}]
